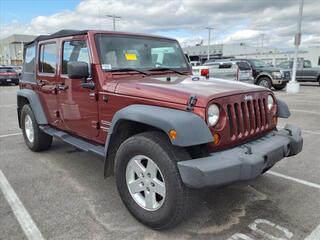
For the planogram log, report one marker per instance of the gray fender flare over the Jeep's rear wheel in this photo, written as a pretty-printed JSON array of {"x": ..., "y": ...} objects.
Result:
[{"x": 35, "y": 104}]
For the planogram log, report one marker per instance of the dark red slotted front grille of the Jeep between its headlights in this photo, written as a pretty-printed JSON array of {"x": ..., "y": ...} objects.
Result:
[{"x": 247, "y": 118}]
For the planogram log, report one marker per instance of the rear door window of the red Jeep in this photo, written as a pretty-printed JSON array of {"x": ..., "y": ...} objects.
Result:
[{"x": 48, "y": 58}]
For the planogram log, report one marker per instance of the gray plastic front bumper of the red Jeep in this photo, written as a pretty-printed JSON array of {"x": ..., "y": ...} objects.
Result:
[{"x": 244, "y": 162}]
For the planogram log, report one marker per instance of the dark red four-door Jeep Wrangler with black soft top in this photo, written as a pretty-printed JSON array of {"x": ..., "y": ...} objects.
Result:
[{"x": 162, "y": 132}]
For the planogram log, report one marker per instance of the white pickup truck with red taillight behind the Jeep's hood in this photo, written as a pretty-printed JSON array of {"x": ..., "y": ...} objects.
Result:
[{"x": 229, "y": 70}]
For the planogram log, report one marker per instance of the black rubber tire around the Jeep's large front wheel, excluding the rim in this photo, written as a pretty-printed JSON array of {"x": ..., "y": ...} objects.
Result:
[{"x": 179, "y": 200}]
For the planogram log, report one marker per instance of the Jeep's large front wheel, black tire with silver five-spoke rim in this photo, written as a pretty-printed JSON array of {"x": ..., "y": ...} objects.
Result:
[{"x": 149, "y": 182}]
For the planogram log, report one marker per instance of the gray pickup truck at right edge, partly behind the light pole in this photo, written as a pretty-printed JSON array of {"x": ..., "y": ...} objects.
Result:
[{"x": 305, "y": 72}]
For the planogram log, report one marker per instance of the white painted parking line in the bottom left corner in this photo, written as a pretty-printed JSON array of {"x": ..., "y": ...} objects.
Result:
[{"x": 28, "y": 226}]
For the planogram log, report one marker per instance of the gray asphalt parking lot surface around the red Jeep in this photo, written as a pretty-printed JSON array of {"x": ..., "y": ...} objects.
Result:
[{"x": 64, "y": 192}]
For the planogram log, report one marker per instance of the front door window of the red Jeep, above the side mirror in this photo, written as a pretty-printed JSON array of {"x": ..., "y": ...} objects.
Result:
[{"x": 74, "y": 51}]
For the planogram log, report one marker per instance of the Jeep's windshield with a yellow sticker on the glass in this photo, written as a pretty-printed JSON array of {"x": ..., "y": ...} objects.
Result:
[{"x": 117, "y": 52}]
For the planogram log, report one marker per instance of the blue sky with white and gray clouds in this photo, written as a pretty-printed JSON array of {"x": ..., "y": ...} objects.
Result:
[{"x": 253, "y": 22}]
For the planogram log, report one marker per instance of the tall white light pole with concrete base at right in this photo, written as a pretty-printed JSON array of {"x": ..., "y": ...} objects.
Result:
[{"x": 293, "y": 86}]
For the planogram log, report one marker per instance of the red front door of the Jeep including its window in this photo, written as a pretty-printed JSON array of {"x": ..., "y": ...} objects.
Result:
[{"x": 78, "y": 106}]
